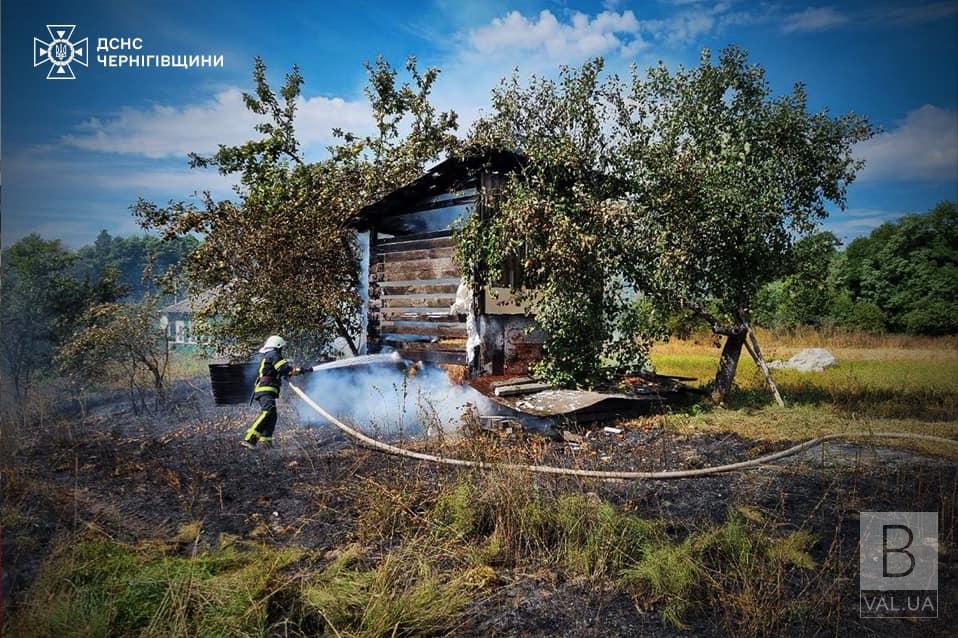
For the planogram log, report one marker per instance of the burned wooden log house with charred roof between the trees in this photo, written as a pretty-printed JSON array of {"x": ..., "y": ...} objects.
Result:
[{"x": 420, "y": 302}]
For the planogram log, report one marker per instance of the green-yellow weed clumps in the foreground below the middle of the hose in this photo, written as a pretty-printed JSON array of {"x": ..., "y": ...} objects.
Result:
[{"x": 741, "y": 566}]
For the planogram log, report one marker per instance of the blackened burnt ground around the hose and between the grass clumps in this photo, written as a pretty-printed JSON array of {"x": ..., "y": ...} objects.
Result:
[{"x": 141, "y": 477}]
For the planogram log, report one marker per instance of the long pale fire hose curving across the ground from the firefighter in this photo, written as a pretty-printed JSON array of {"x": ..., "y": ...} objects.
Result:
[{"x": 600, "y": 474}]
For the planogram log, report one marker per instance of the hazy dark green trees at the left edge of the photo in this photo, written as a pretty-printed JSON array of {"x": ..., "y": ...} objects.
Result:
[{"x": 53, "y": 295}]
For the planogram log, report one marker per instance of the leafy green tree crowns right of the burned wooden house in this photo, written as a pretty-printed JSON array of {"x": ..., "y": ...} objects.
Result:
[{"x": 686, "y": 188}]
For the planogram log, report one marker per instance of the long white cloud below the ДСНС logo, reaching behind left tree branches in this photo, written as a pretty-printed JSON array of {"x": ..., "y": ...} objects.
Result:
[{"x": 169, "y": 131}]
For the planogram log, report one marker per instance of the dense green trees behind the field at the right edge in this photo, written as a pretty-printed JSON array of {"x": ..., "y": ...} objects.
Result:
[{"x": 903, "y": 277}]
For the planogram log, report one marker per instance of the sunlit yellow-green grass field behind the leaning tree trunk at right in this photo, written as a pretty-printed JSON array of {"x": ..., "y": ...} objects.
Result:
[{"x": 905, "y": 384}]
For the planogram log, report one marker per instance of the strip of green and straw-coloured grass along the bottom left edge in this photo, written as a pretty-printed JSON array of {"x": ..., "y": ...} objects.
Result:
[{"x": 101, "y": 587}]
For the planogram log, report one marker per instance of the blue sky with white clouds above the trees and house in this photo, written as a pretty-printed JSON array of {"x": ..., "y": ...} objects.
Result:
[{"x": 76, "y": 154}]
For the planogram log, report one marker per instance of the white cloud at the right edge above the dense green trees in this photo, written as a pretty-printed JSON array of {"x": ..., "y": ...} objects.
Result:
[{"x": 923, "y": 147}]
